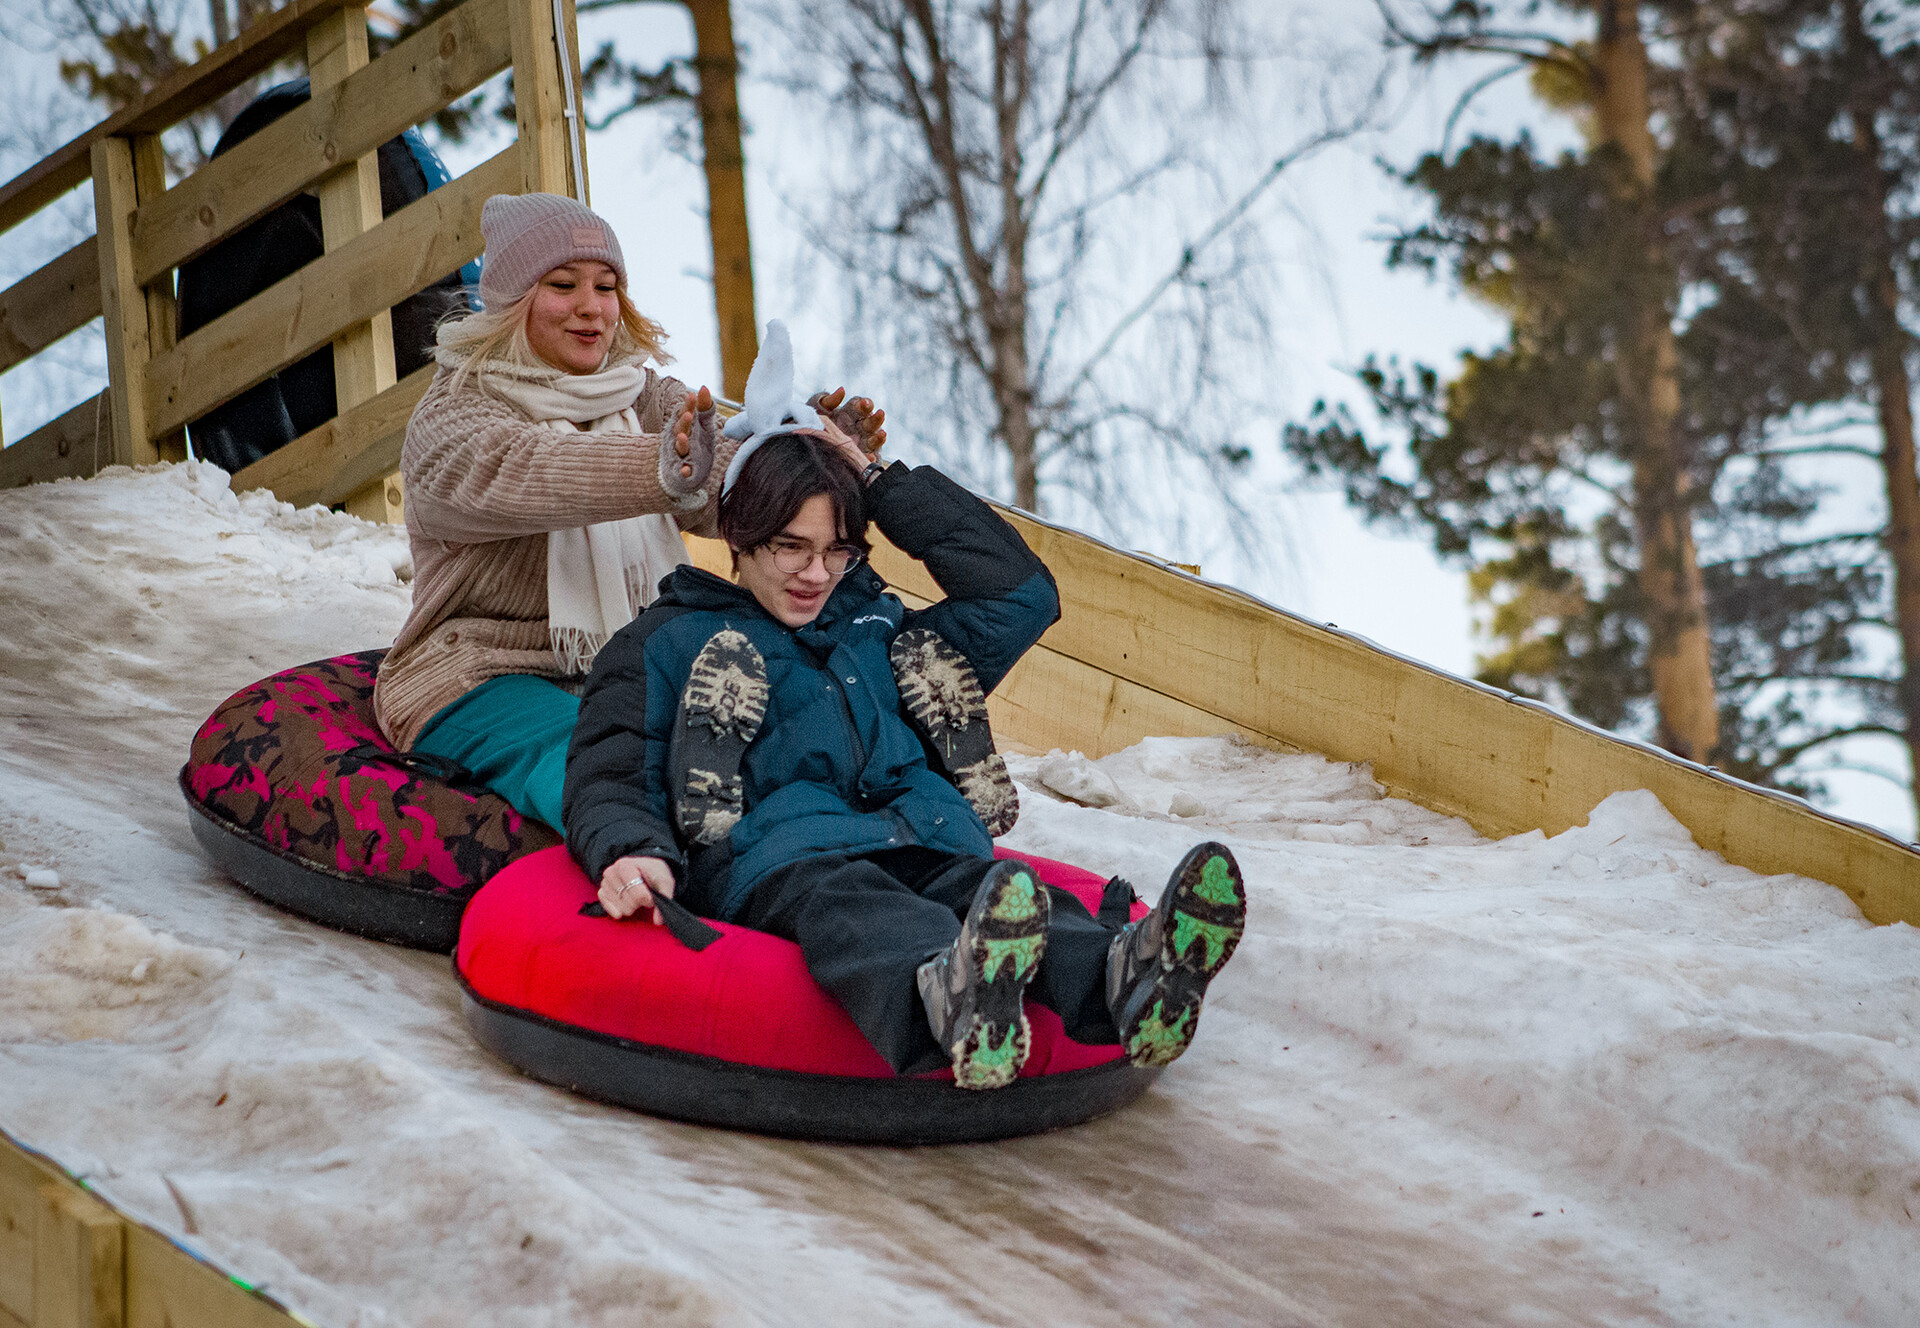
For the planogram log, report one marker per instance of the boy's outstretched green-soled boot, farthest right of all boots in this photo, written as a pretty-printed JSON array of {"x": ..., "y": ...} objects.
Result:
[{"x": 1159, "y": 968}]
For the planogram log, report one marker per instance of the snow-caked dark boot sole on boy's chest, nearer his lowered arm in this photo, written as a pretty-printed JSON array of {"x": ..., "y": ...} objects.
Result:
[{"x": 721, "y": 713}]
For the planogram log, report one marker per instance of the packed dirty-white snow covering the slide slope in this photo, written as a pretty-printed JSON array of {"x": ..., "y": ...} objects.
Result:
[{"x": 1591, "y": 1079}]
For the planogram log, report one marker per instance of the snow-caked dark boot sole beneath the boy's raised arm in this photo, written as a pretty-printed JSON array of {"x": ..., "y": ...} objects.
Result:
[{"x": 944, "y": 698}]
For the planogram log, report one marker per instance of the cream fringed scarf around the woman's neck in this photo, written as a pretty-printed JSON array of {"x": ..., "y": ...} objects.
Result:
[{"x": 598, "y": 577}]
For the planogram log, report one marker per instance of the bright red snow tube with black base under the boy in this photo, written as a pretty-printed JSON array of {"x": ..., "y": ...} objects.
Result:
[{"x": 738, "y": 1033}]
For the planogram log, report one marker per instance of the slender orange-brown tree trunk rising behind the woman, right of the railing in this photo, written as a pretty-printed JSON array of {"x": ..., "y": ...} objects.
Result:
[{"x": 727, "y": 193}]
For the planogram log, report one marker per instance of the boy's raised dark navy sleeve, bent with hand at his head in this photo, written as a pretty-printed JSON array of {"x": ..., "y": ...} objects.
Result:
[{"x": 999, "y": 596}]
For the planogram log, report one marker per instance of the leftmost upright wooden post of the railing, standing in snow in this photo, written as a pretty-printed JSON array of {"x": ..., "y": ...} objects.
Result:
[{"x": 122, "y": 300}]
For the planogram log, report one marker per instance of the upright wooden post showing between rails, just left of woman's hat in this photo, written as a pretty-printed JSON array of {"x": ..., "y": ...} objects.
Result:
[{"x": 350, "y": 206}]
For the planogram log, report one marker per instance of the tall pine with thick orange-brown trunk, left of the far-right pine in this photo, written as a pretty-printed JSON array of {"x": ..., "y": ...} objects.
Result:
[{"x": 1633, "y": 410}]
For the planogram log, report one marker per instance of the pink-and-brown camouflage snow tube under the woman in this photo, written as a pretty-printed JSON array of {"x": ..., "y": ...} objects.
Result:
[{"x": 300, "y": 797}]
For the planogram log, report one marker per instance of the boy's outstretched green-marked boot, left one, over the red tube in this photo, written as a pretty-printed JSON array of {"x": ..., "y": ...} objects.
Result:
[{"x": 976, "y": 989}]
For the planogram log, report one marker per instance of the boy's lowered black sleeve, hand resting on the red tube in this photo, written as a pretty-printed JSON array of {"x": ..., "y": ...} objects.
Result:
[{"x": 615, "y": 803}]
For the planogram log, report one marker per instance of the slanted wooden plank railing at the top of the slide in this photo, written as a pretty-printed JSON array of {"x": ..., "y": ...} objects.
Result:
[{"x": 145, "y": 231}]
